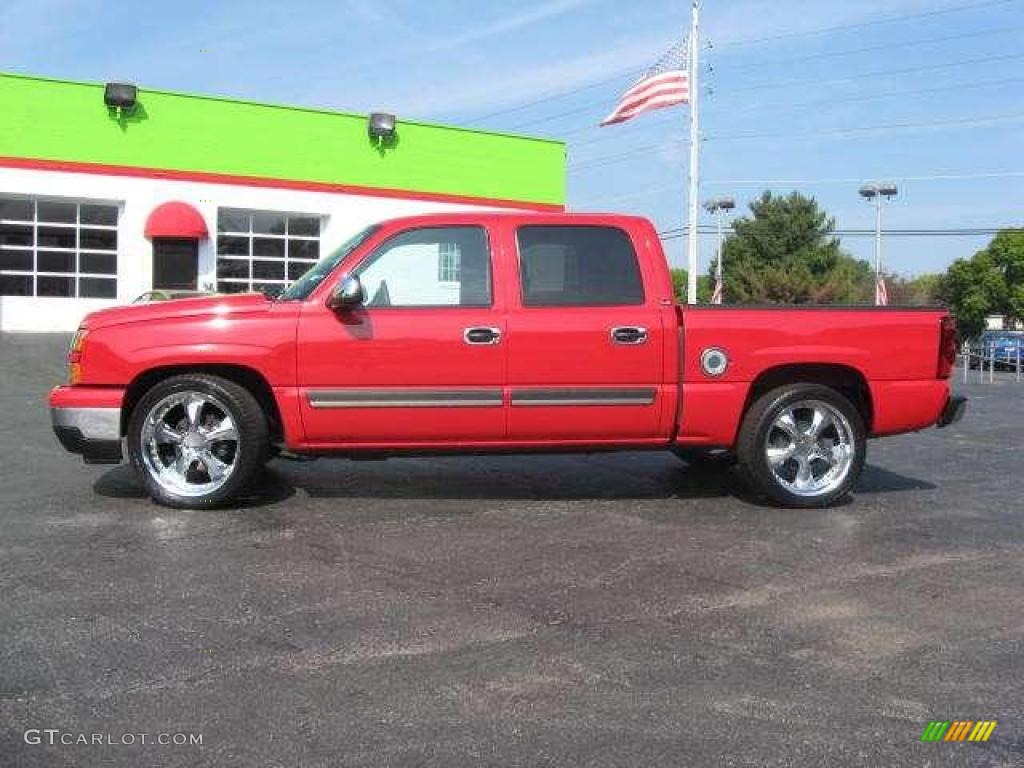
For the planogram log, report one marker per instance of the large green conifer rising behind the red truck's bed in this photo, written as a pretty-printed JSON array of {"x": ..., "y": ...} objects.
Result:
[{"x": 785, "y": 252}]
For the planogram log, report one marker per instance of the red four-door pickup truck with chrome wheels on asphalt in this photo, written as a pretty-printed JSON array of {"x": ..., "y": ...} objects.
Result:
[{"x": 498, "y": 332}]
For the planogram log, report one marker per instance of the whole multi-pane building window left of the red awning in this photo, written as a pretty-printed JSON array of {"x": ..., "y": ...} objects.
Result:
[{"x": 58, "y": 248}]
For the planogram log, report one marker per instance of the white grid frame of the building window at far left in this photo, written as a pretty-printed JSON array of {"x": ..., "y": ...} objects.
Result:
[{"x": 75, "y": 275}]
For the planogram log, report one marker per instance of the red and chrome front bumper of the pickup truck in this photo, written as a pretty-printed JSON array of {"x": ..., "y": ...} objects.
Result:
[{"x": 89, "y": 422}]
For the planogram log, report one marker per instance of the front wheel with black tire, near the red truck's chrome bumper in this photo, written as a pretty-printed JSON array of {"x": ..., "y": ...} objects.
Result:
[{"x": 197, "y": 441}]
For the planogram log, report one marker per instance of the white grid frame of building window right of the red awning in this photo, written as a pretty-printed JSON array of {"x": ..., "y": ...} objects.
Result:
[{"x": 252, "y": 283}]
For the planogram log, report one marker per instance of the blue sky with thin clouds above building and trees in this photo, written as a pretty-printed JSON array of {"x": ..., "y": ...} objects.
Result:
[{"x": 796, "y": 111}]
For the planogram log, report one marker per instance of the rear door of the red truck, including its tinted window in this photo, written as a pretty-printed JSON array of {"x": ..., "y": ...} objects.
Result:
[{"x": 586, "y": 340}]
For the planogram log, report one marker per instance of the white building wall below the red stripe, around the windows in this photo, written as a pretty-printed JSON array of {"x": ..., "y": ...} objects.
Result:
[{"x": 344, "y": 216}]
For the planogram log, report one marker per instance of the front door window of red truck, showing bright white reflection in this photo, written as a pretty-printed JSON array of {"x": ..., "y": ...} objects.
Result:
[{"x": 434, "y": 267}]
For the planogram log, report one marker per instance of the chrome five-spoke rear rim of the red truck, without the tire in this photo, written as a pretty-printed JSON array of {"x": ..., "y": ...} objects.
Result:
[{"x": 810, "y": 448}]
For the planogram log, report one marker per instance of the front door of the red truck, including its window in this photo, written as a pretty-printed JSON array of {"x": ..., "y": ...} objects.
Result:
[{"x": 423, "y": 361}]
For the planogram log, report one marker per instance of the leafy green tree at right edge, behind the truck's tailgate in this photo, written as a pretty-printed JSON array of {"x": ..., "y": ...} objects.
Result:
[{"x": 992, "y": 282}]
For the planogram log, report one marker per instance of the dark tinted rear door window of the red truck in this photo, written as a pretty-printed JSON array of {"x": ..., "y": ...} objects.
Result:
[{"x": 578, "y": 267}]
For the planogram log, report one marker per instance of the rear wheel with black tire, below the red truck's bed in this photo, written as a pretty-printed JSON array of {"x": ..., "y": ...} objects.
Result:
[{"x": 802, "y": 446}]
